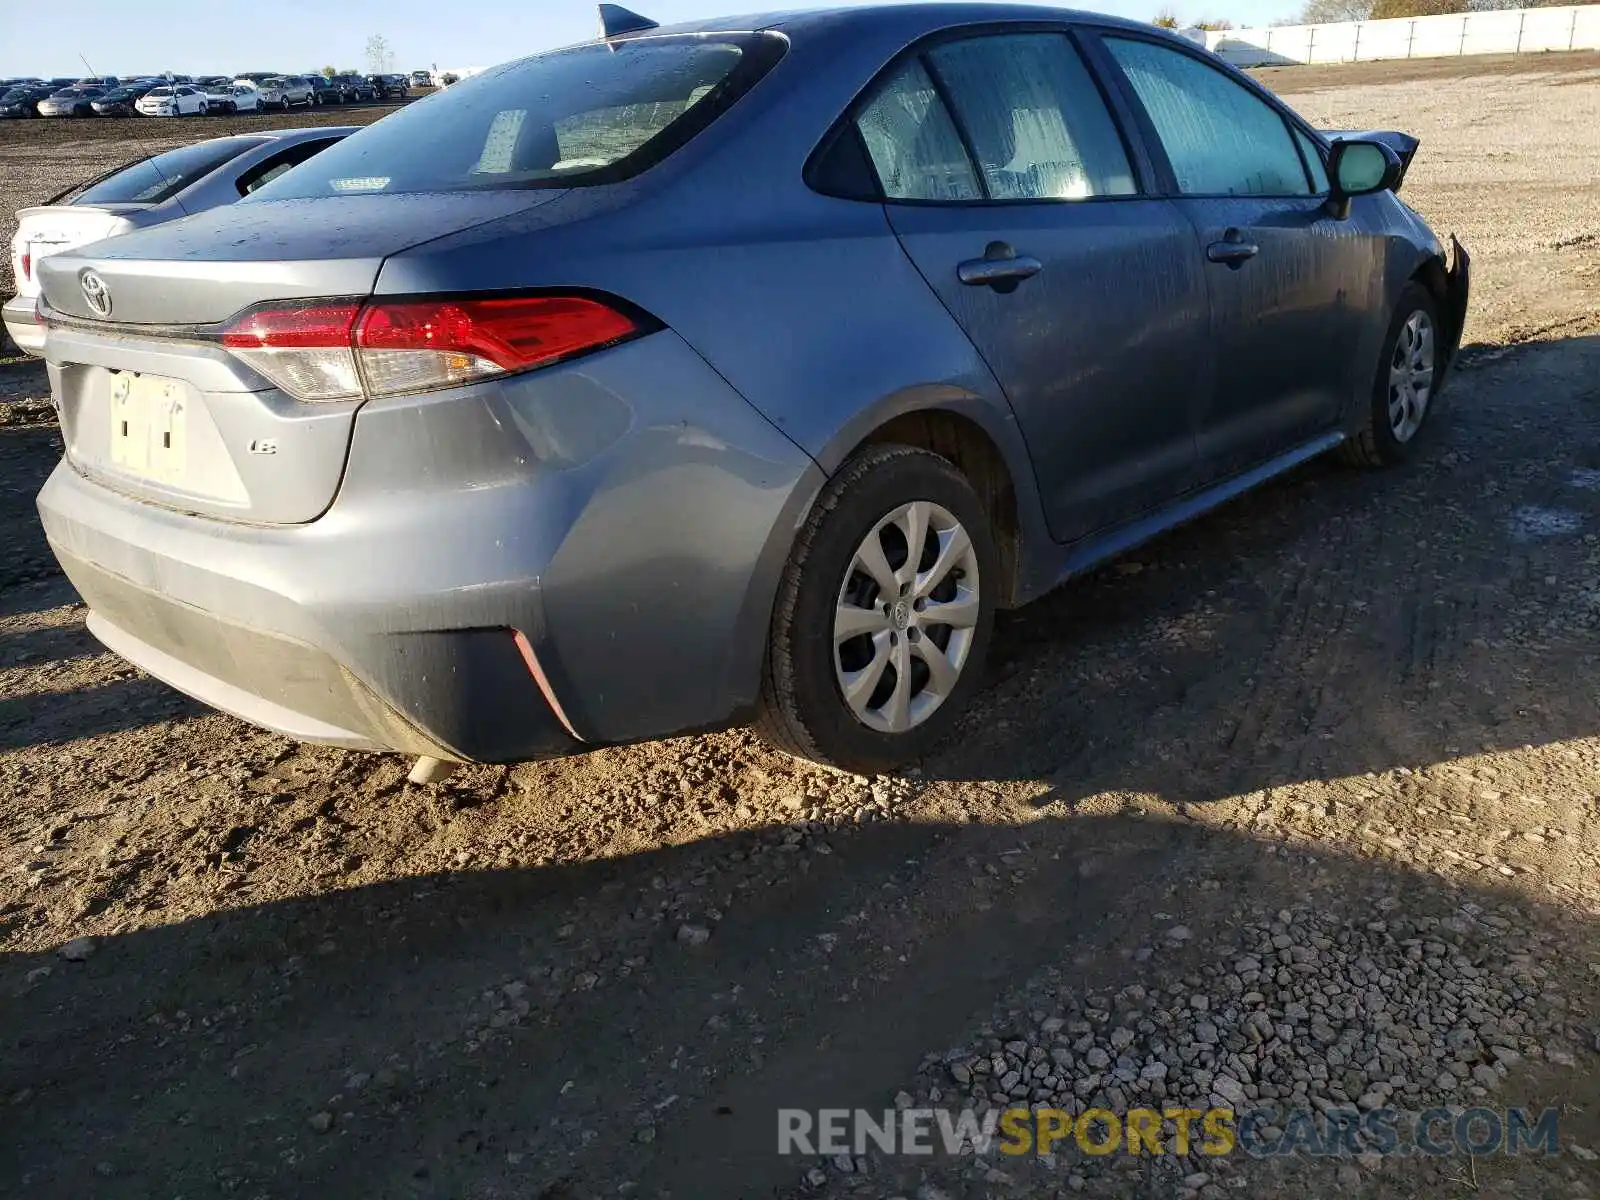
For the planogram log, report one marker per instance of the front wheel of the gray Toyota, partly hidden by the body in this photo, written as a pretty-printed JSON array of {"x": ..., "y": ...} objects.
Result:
[{"x": 1399, "y": 407}]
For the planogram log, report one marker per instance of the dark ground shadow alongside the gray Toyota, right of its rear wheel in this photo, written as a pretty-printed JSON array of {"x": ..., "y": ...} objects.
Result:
[{"x": 1335, "y": 623}]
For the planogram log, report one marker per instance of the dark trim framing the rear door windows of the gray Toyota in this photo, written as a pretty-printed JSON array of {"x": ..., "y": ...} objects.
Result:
[{"x": 1140, "y": 166}]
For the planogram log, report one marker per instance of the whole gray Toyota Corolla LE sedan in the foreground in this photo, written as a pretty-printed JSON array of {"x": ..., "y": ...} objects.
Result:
[{"x": 729, "y": 372}]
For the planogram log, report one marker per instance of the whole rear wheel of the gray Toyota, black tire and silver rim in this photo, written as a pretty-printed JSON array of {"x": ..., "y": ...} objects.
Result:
[{"x": 854, "y": 703}]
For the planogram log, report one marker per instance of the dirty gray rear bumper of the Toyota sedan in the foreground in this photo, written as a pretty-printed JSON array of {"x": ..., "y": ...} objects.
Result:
[{"x": 577, "y": 558}]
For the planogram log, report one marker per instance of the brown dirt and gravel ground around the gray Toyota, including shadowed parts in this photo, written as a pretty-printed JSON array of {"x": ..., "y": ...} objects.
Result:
[{"x": 1348, "y": 726}]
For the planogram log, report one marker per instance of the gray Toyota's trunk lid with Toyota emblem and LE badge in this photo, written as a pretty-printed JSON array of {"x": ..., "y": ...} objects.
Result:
[{"x": 156, "y": 409}]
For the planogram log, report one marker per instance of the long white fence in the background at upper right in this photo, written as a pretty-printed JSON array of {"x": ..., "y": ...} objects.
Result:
[{"x": 1516, "y": 31}]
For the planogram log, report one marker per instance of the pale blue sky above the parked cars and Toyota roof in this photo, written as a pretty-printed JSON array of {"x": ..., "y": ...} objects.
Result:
[{"x": 122, "y": 38}]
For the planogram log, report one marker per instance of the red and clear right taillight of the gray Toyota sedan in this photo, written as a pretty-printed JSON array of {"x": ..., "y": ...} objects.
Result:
[{"x": 342, "y": 351}]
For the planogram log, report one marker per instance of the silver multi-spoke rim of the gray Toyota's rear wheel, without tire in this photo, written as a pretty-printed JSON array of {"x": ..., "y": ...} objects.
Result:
[{"x": 906, "y": 617}]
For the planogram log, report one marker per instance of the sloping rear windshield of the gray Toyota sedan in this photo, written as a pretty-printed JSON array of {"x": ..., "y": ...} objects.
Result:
[{"x": 585, "y": 116}]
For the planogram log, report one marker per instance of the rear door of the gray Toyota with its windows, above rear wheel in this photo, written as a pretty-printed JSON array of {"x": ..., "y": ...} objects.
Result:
[{"x": 1022, "y": 204}]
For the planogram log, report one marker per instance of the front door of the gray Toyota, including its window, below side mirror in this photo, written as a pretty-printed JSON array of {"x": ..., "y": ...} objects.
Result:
[{"x": 1286, "y": 279}]
